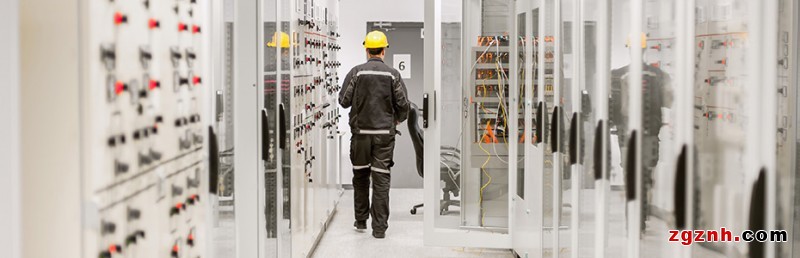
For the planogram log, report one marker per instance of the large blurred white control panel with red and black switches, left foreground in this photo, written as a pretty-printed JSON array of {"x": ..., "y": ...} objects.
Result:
[{"x": 144, "y": 98}]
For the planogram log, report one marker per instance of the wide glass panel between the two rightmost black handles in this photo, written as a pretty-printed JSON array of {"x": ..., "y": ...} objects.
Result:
[{"x": 720, "y": 121}]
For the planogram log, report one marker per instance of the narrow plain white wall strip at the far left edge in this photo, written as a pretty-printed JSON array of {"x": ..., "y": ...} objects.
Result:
[{"x": 9, "y": 130}]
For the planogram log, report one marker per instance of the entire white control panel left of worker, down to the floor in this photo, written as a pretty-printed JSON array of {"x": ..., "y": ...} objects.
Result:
[{"x": 312, "y": 117}]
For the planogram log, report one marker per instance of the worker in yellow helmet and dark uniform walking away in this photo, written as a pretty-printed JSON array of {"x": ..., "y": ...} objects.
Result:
[{"x": 378, "y": 102}]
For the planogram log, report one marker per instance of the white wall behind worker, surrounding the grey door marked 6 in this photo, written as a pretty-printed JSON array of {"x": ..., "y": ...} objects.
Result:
[{"x": 353, "y": 18}]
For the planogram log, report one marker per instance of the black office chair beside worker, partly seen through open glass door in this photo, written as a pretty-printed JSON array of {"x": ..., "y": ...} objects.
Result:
[{"x": 450, "y": 169}]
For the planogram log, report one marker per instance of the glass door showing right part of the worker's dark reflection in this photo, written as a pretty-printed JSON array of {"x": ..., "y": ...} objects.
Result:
[{"x": 662, "y": 152}]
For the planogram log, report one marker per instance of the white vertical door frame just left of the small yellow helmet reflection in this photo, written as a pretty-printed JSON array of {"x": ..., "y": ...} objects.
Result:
[{"x": 246, "y": 186}]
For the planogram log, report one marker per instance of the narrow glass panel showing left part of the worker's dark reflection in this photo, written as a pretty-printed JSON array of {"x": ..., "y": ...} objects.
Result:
[{"x": 616, "y": 230}]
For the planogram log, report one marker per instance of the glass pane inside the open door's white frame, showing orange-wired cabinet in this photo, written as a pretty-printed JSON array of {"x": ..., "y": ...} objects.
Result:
[{"x": 484, "y": 138}]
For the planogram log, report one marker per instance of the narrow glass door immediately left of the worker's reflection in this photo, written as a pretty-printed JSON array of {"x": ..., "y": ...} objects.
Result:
[{"x": 585, "y": 180}]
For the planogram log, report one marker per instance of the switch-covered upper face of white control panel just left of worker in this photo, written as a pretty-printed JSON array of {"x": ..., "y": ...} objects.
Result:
[{"x": 314, "y": 84}]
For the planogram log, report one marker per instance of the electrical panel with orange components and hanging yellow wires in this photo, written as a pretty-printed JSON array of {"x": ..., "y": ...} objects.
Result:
[{"x": 488, "y": 136}]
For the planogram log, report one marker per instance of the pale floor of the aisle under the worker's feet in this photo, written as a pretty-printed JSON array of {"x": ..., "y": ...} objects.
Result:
[{"x": 403, "y": 238}]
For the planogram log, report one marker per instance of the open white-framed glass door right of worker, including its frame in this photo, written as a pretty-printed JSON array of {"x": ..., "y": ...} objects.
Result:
[{"x": 468, "y": 173}]
